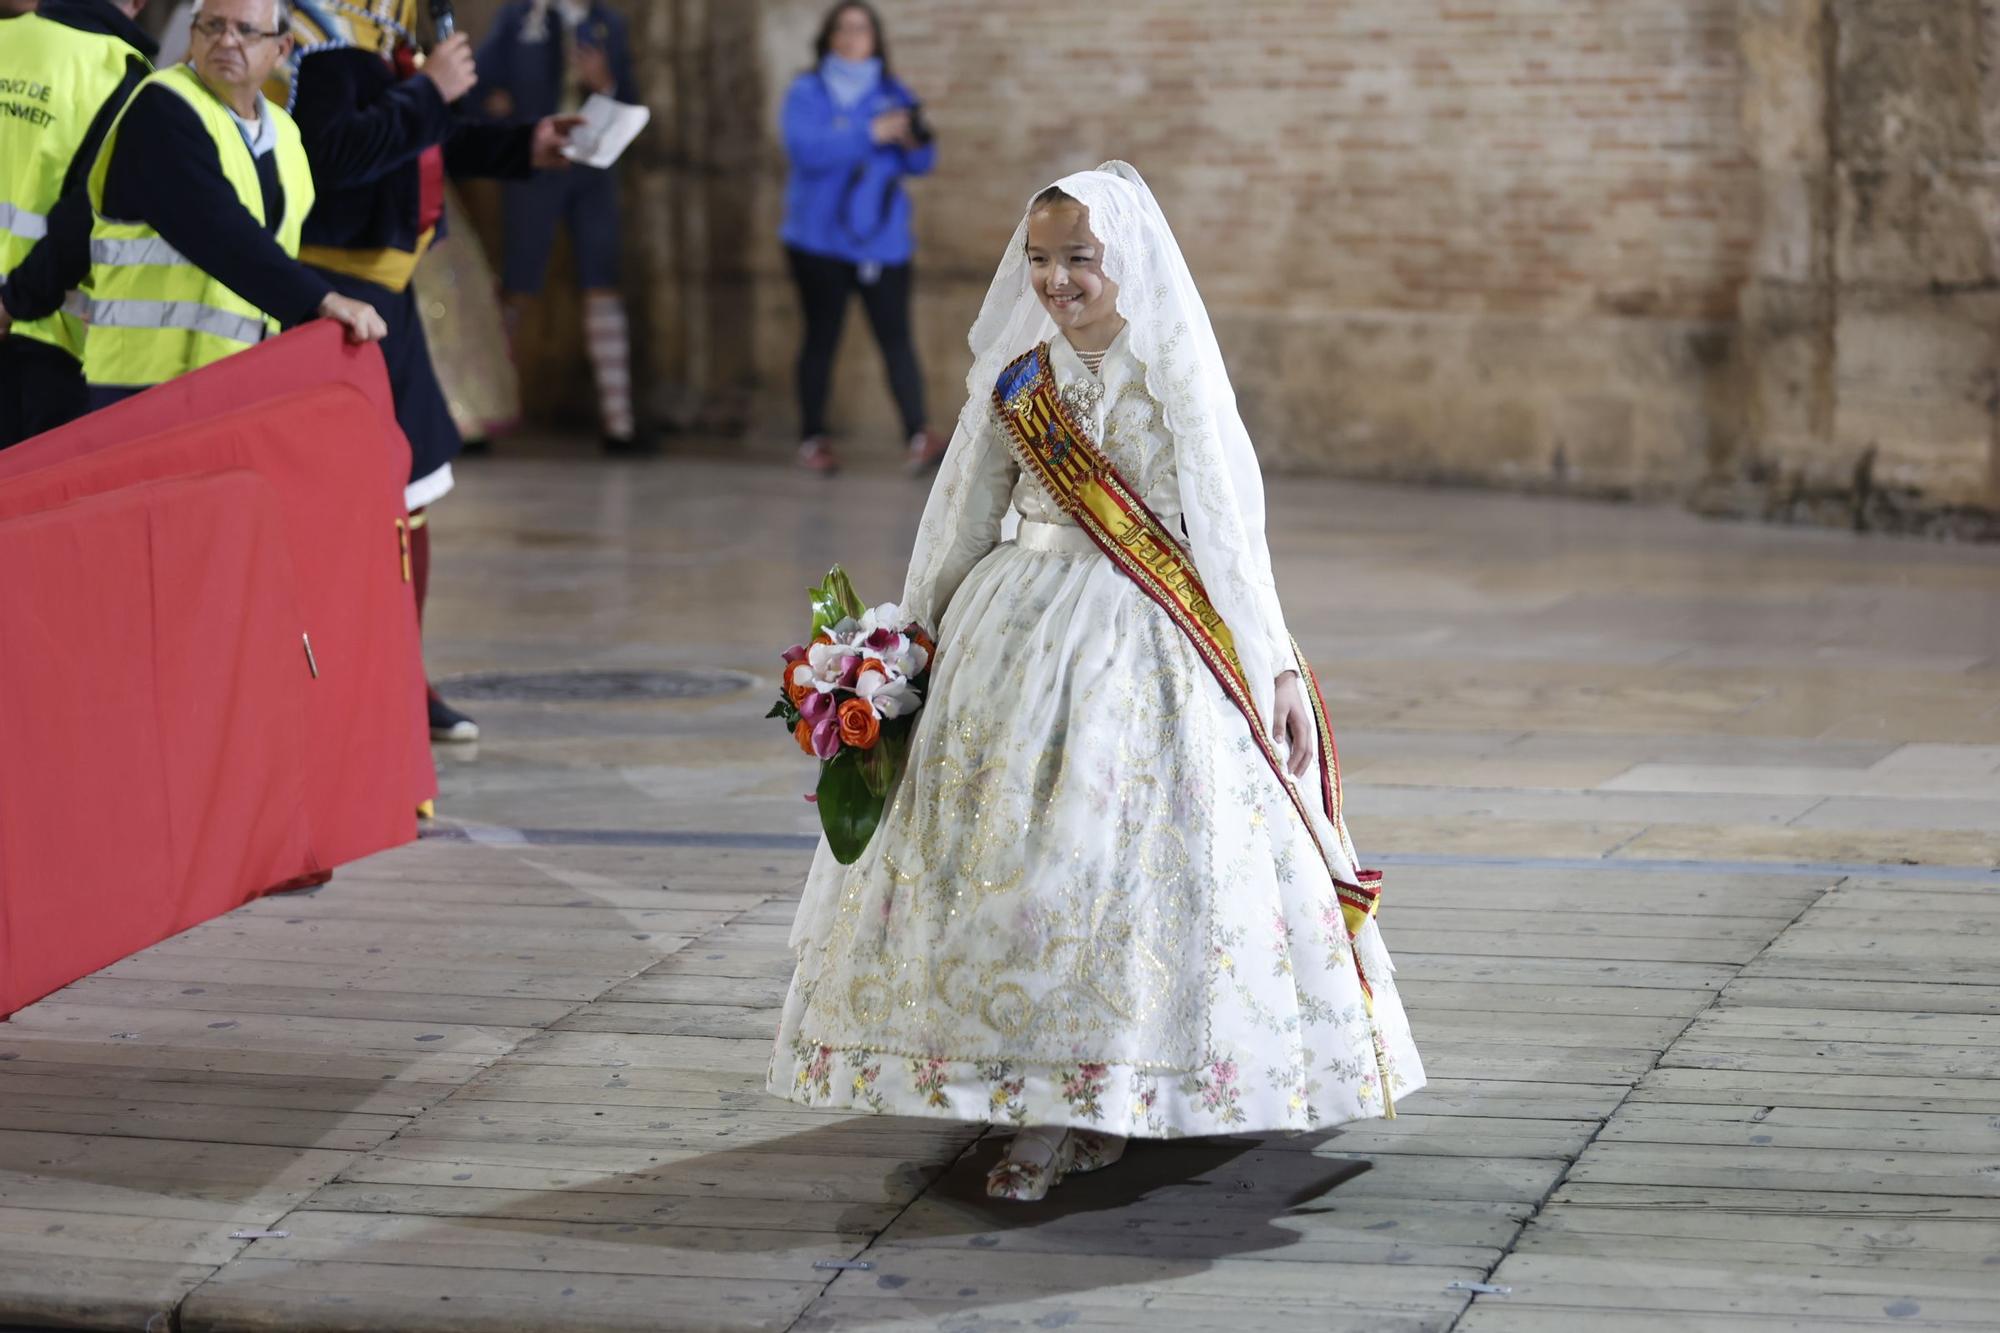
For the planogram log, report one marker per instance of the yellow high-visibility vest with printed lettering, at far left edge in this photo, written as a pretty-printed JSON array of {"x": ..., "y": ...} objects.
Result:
[{"x": 53, "y": 83}]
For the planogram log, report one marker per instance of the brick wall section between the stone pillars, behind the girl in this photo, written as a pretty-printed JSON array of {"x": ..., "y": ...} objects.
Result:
[{"x": 1441, "y": 239}]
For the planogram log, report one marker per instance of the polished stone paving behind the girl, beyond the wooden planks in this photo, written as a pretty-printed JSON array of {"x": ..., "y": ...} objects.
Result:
[{"x": 1509, "y": 676}]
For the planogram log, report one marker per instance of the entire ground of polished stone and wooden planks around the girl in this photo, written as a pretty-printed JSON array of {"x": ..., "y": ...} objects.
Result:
[{"x": 1695, "y": 888}]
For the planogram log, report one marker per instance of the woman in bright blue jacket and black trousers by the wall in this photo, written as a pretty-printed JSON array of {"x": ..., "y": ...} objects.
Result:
[{"x": 853, "y": 135}]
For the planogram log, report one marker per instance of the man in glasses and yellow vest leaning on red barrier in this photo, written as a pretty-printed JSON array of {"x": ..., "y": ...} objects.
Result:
[{"x": 201, "y": 193}]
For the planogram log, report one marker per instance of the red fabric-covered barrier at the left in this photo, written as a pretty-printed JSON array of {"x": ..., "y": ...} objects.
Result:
[{"x": 165, "y": 748}]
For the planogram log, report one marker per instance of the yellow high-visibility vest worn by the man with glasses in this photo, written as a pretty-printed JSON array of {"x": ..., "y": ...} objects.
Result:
[{"x": 153, "y": 313}]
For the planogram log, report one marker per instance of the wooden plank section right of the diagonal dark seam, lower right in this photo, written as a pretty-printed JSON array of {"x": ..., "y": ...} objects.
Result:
[{"x": 1819, "y": 1148}]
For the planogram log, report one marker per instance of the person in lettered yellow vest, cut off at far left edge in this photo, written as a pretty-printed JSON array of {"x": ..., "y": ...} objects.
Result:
[{"x": 65, "y": 75}]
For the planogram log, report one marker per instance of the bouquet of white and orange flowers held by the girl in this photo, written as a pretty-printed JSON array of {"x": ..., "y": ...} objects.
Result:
[{"x": 851, "y": 700}]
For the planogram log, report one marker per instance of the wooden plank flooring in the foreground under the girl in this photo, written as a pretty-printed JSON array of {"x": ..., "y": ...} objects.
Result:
[{"x": 613, "y": 1162}]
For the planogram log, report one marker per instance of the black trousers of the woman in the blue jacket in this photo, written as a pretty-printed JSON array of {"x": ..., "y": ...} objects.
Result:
[{"x": 825, "y": 287}]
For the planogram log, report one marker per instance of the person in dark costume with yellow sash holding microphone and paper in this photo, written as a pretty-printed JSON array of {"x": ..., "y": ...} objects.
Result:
[{"x": 383, "y": 135}]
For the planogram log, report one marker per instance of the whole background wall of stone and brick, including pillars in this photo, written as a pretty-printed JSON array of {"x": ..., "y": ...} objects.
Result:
[{"x": 1591, "y": 245}]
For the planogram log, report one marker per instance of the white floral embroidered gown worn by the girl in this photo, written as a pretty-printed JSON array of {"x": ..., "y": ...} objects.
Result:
[{"x": 1089, "y": 902}]
